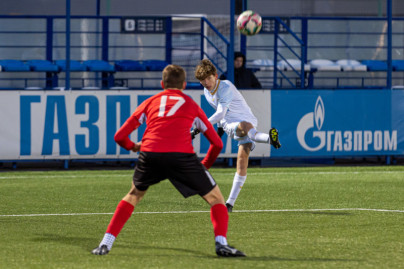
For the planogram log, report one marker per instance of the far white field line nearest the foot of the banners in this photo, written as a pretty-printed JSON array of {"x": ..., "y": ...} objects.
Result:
[{"x": 219, "y": 173}]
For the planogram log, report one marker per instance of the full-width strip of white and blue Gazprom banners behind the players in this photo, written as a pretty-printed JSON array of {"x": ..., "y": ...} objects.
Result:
[{"x": 312, "y": 123}]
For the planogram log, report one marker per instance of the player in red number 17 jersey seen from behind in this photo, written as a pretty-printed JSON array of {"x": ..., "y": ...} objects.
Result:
[{"x": 166, "y": 151}]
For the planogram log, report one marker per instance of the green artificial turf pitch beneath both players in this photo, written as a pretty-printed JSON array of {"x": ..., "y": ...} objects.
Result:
[{"x": 325, "y": 217}]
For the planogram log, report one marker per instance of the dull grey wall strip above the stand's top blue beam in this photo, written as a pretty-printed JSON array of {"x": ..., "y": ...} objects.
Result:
[{"x": 210, "y": 7}]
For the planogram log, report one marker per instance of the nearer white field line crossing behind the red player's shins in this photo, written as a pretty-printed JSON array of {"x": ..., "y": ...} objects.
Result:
[{"x": 236, "y": 211}]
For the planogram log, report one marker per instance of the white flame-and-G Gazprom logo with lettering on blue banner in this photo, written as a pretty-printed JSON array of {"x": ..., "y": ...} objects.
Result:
[{"x": 340, "y": 140}]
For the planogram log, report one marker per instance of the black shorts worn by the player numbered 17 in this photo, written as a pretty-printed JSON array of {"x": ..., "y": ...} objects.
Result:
[{"x": 184, "y": 170}]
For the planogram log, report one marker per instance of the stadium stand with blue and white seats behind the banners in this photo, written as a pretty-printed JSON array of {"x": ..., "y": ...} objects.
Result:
[{"x": 131, "y": 63}]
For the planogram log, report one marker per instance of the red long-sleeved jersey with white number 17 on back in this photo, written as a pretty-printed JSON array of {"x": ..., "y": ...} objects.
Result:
[{"x": 169, "y": 116}]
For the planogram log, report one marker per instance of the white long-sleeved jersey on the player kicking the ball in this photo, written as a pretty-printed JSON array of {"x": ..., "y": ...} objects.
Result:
[{"x": 226, "y": 95}]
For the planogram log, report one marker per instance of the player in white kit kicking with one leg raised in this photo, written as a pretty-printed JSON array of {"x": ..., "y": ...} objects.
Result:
[{"x": 233, "y": 116}]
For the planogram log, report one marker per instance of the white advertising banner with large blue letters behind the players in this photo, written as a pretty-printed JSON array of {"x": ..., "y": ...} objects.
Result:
[{"x": 81, "y": 124}]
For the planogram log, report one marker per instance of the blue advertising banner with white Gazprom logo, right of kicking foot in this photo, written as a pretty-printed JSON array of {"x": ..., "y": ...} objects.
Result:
[{"x": 331, "y": 123}]
